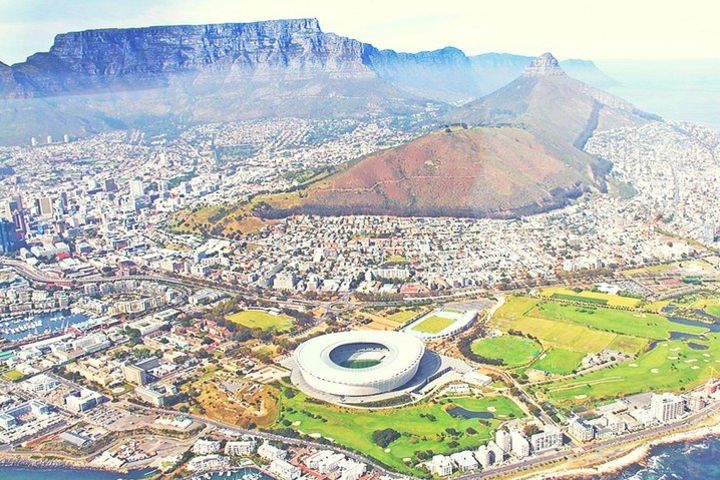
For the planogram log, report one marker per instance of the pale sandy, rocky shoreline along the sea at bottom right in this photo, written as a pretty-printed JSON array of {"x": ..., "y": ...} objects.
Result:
[{"x": 632, "y": 457}]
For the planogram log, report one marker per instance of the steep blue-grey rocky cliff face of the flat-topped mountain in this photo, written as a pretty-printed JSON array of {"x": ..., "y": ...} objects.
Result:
[{"x": 83, "y": 62}]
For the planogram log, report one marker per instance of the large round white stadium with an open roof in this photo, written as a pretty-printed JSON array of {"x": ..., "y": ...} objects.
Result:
[{"x": 360, "y": 366}]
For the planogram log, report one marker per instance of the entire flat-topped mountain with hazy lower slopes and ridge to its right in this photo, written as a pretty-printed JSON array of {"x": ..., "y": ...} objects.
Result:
[{"x": 159, "y": 77}]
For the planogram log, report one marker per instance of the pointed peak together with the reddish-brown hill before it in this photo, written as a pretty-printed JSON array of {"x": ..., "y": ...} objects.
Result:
[{"x": 519, "y": 152}]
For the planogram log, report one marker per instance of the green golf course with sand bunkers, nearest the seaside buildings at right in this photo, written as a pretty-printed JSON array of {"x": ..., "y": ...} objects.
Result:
[{"x": 670, "y": 366}]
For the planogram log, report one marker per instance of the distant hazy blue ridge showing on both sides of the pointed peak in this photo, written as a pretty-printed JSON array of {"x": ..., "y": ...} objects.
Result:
[{"x": 495, "y": 70}]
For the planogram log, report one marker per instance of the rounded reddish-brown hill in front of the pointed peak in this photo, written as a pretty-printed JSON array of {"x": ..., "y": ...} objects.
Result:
[{"x": 476, "y": 172}]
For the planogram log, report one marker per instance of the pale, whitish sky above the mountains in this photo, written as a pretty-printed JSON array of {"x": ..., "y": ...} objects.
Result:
[{"x": 592, "y": 29}]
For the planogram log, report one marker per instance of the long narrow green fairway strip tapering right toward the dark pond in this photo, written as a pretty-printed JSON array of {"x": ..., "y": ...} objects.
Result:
[{"x": 643, "y": 325}]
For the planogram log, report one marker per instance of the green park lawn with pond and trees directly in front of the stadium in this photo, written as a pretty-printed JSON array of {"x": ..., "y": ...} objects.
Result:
[{"x": 423, "y": 427}]
